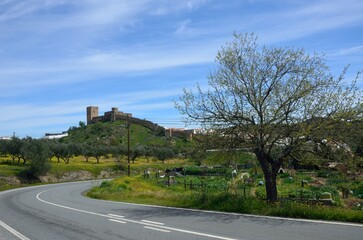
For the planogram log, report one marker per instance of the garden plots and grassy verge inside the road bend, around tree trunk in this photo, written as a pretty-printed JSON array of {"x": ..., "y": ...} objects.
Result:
[{"x": 219, "y": 191}]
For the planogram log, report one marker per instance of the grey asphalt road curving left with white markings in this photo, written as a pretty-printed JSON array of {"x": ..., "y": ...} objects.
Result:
[{"x": 55, "y": 212}]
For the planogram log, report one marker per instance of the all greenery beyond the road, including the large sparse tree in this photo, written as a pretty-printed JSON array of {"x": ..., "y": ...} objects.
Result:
[{"x": 280, "y": 136}]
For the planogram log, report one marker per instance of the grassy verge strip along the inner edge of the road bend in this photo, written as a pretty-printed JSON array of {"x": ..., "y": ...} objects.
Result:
[{"x": 139, "y": 190}]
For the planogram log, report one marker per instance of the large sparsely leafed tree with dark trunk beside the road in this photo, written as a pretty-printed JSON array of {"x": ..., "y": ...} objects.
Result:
[{"x": 271, "y": 100}]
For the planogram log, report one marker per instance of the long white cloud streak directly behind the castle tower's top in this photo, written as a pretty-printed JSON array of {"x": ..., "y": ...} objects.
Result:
[{"x": 132, "y": 101}]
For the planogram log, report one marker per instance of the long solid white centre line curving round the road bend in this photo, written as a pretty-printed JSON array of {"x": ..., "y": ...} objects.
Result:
[{"x": 132, "y": 221}]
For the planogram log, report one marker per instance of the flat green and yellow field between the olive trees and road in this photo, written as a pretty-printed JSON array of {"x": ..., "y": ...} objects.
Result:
[{"x": 215, "y": 189}]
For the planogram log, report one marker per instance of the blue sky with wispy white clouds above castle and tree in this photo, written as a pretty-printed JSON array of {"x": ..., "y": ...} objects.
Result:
[{"x": 59, "y": 56}]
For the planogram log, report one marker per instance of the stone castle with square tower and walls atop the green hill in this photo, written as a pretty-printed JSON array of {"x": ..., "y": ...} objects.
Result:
[{"x": 115, "y": 115}]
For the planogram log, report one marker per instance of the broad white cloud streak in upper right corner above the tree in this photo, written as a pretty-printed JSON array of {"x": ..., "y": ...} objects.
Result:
[{"x": 312, "y": 17}]
